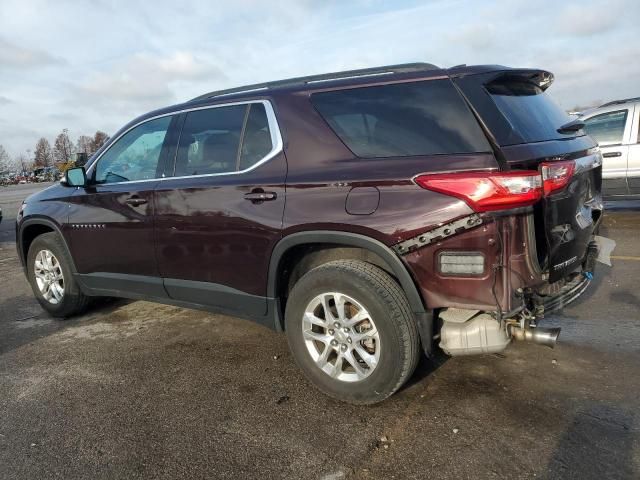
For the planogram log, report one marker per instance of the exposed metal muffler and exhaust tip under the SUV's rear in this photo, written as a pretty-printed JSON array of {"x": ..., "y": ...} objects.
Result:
[{"x": 471, "y": 332}]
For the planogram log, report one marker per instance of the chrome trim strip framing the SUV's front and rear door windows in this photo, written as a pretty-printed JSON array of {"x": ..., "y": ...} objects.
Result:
[{"x": 274, "y": 131}]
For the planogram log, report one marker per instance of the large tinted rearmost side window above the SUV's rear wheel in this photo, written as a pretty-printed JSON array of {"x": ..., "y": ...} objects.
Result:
[{"x": 417, "y": 118}]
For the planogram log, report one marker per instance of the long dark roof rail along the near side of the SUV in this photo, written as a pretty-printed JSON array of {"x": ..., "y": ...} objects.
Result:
[{"x": 325, "y": 77}]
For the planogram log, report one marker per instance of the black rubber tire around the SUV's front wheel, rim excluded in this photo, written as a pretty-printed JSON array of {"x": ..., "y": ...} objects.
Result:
[{"x": 73, "y": 301}]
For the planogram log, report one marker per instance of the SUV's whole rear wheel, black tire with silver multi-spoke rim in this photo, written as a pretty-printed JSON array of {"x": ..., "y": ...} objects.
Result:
[{"x": 352, "y": 332}]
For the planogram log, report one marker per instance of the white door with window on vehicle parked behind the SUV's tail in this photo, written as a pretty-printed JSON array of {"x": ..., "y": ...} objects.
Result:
[{"x": 612, "y": 130}]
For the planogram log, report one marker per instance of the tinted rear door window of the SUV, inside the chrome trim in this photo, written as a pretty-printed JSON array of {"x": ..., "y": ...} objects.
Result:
[{"x": 223, "y": 140}]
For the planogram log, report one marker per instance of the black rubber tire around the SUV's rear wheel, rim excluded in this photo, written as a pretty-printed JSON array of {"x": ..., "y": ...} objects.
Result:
[{"x": 389, "y": 309}]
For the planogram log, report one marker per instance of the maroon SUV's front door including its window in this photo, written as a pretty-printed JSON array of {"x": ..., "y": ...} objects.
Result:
[{"x": 111, "y": 219}]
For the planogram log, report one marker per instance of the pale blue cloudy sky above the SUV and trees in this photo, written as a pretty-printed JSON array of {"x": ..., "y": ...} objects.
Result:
[{"x": 89, "y": 65}]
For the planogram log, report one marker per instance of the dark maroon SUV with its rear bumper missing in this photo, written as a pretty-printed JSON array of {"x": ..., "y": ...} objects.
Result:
[{"x": 369, "y": 214}]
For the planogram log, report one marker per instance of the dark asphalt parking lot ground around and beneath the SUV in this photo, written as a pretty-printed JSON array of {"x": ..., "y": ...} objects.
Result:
[{"x": 138, "y": 390}]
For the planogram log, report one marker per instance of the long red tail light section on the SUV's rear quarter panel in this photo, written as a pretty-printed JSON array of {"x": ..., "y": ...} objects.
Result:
[{"x": 486, "y": 191}]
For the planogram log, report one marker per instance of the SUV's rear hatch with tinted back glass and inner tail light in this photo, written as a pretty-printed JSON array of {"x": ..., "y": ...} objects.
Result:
[{"x": 524, "y": 124}]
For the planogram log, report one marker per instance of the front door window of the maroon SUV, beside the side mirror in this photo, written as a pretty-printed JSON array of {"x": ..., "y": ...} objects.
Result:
[{"x": 136, "y": 155}]
